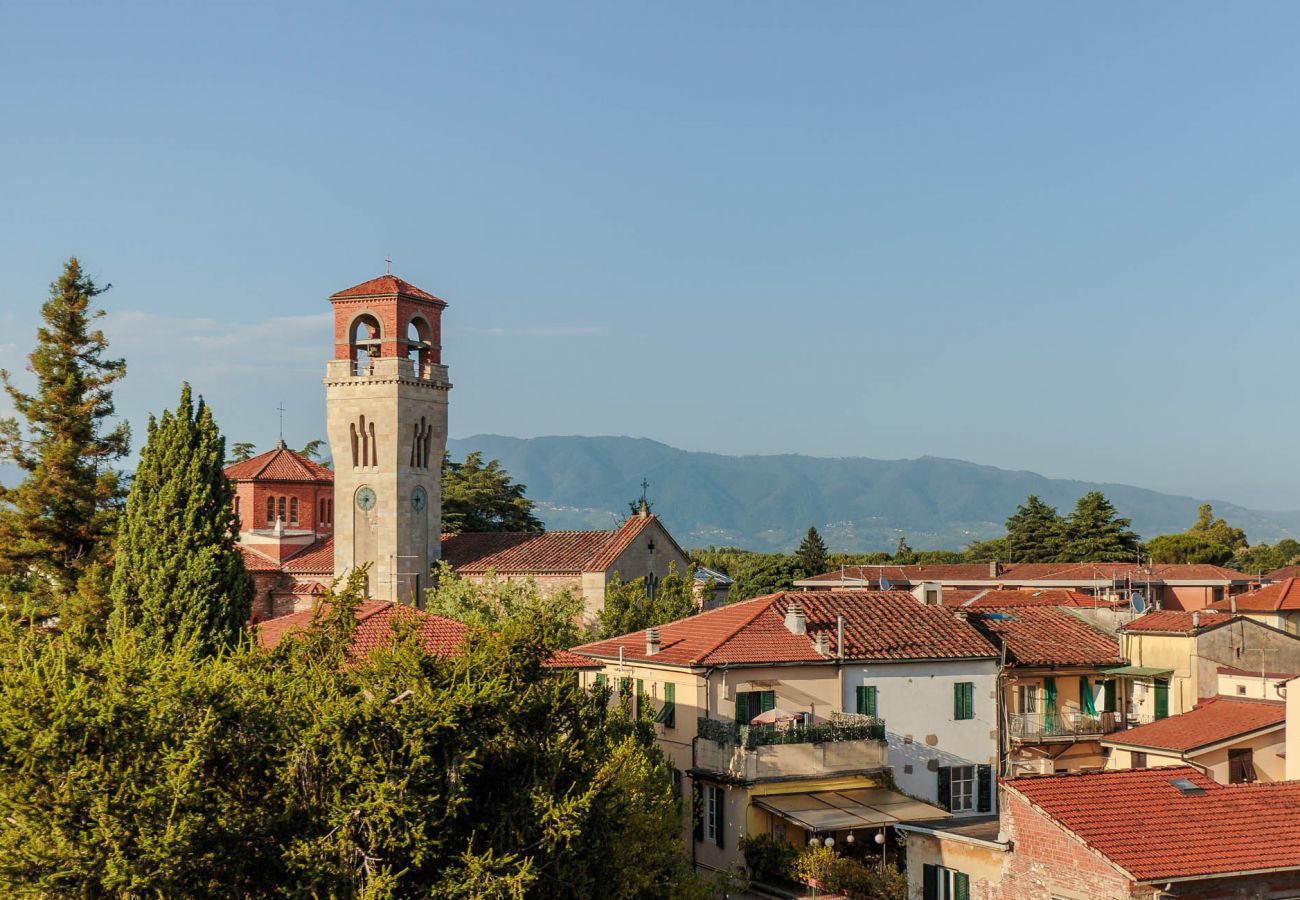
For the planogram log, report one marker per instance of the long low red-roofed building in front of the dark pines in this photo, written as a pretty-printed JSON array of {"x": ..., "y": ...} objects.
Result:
[{"x": 1163, "y": 586}]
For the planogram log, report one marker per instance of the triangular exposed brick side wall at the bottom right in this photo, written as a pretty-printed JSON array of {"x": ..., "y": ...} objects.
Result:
[{"x": 1050, "y": 863}]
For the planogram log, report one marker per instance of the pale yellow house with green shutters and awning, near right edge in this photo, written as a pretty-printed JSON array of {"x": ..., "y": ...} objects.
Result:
[{"x": 1175, "y": 656}]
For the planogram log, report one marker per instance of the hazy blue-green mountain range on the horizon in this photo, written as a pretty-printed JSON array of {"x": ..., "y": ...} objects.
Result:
[{"x": 857, "y": 504}]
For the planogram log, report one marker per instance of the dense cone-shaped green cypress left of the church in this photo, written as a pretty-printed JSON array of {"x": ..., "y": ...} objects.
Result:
[{"x": 179, "y": 574}]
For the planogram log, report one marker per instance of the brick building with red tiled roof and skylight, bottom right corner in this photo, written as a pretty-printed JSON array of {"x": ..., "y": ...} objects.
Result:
[{"x": 1151, "y": 834}]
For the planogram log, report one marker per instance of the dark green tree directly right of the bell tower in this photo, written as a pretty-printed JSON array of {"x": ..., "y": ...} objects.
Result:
[{"x": 479, "y": 496}]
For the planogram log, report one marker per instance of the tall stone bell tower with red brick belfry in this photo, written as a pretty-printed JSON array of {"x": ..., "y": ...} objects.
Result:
[{"x": 387, "y": 419}]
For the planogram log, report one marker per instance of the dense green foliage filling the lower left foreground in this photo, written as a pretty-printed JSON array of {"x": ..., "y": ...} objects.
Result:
[{"x": 142, "y": 769}]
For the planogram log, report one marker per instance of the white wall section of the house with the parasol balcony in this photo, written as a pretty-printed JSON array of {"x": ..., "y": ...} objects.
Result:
[{"x": 916, "y": 700}]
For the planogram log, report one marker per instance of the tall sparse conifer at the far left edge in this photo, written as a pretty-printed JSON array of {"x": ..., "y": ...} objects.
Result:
[{"x": 60, "y": 518}]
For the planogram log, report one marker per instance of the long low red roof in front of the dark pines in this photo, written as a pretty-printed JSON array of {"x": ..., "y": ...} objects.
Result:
[{"x": 1021, "y": 573}]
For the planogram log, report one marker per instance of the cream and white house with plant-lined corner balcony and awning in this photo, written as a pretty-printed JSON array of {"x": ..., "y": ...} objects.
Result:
[{"x": 863, "y": 683}]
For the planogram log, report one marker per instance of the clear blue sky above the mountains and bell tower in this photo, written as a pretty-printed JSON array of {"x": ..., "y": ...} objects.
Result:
[{"x": 1038, "y": 236}]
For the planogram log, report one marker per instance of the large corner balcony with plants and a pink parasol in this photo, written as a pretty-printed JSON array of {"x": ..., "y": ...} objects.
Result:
[{"x": 757, "y": 754}]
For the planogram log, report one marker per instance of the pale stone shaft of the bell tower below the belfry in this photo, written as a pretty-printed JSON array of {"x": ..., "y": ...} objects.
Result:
[{"x": 397, "y": 540}]
